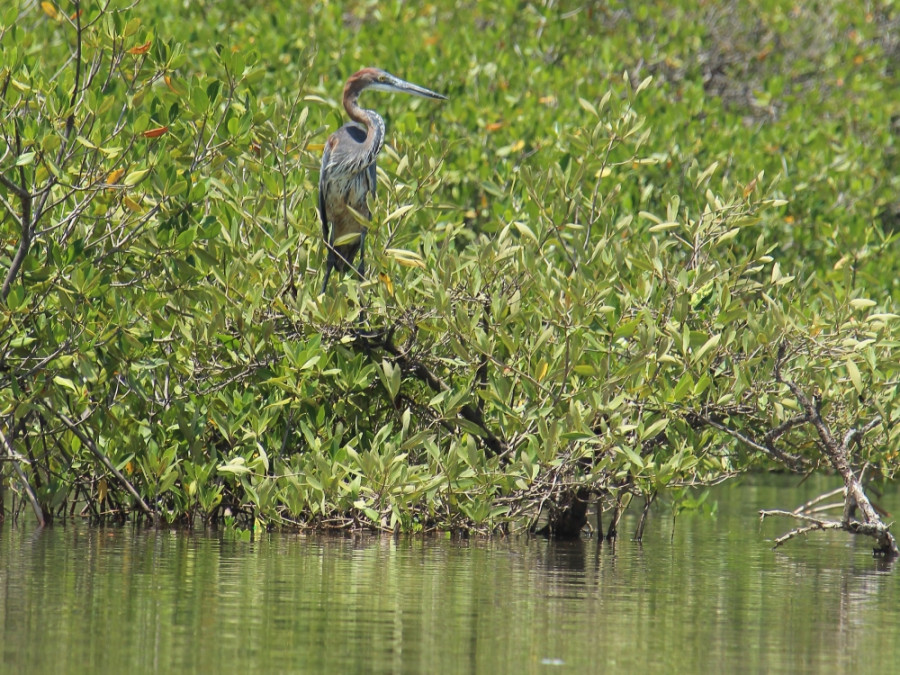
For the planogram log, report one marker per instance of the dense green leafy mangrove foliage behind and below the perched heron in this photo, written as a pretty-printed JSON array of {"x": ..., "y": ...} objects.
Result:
[{"x": 583, "y": 265}]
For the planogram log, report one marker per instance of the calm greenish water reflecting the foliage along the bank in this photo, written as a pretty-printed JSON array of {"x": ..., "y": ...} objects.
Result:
[{"x": 707, "y": 596}]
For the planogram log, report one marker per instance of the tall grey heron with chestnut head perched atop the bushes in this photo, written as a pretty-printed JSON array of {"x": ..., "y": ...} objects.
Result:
[{"x": 348, "y": 169}]
